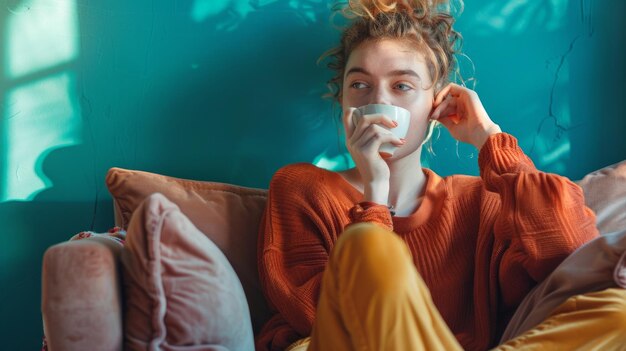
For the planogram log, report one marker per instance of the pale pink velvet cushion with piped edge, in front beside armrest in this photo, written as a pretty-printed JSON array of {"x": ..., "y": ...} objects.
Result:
[{"x": 180, "y": 290}]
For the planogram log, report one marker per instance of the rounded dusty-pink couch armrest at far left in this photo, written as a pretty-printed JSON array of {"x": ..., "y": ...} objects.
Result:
[{"x": 81, "y": 295}]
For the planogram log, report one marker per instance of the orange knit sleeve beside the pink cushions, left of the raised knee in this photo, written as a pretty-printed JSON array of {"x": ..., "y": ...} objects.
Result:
[{"x": 295, "y": 238}]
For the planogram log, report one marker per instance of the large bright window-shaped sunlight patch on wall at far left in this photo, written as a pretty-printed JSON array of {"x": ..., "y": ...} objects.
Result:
[{"x": 40, "y": 111}]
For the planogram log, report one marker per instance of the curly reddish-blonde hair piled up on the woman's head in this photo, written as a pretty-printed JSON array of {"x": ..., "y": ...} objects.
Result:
[{"x": 425, "y": 24}]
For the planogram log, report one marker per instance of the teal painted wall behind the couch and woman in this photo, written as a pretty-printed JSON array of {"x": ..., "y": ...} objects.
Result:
[{"x": 230, "y": 91}]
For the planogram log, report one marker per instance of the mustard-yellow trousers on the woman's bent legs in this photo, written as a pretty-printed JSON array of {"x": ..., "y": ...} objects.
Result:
[{"x": 373, "y": 298}]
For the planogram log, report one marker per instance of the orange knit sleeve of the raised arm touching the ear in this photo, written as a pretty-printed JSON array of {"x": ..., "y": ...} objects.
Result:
[{"x": 543, "y": 217}]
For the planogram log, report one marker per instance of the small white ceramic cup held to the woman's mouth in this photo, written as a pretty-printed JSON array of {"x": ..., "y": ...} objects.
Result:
[{"x": 395, "y": 113}]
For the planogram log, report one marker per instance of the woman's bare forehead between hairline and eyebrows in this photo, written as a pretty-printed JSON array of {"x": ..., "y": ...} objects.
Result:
[{"x": 379, "y": 57}]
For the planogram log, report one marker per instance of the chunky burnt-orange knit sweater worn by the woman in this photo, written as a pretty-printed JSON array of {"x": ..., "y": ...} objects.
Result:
[{"x": 480, "y": 243}]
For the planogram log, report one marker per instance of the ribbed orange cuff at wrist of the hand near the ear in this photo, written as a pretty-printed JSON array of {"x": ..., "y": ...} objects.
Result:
[{"x": 501, "y": 154}]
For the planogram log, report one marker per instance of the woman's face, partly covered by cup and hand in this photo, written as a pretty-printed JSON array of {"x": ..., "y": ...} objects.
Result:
[{"x": 391, "y": 72}]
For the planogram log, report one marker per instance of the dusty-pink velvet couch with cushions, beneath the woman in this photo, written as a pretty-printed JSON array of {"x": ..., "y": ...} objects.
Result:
[{"x": 90, "y": 287}]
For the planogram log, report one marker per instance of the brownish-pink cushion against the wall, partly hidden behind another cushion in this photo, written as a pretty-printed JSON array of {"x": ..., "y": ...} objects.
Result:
[{"x": 229, "y": 215}]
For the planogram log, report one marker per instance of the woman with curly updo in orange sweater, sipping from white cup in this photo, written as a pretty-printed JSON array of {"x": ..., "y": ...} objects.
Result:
[{"x": 447, "y": 267}]
